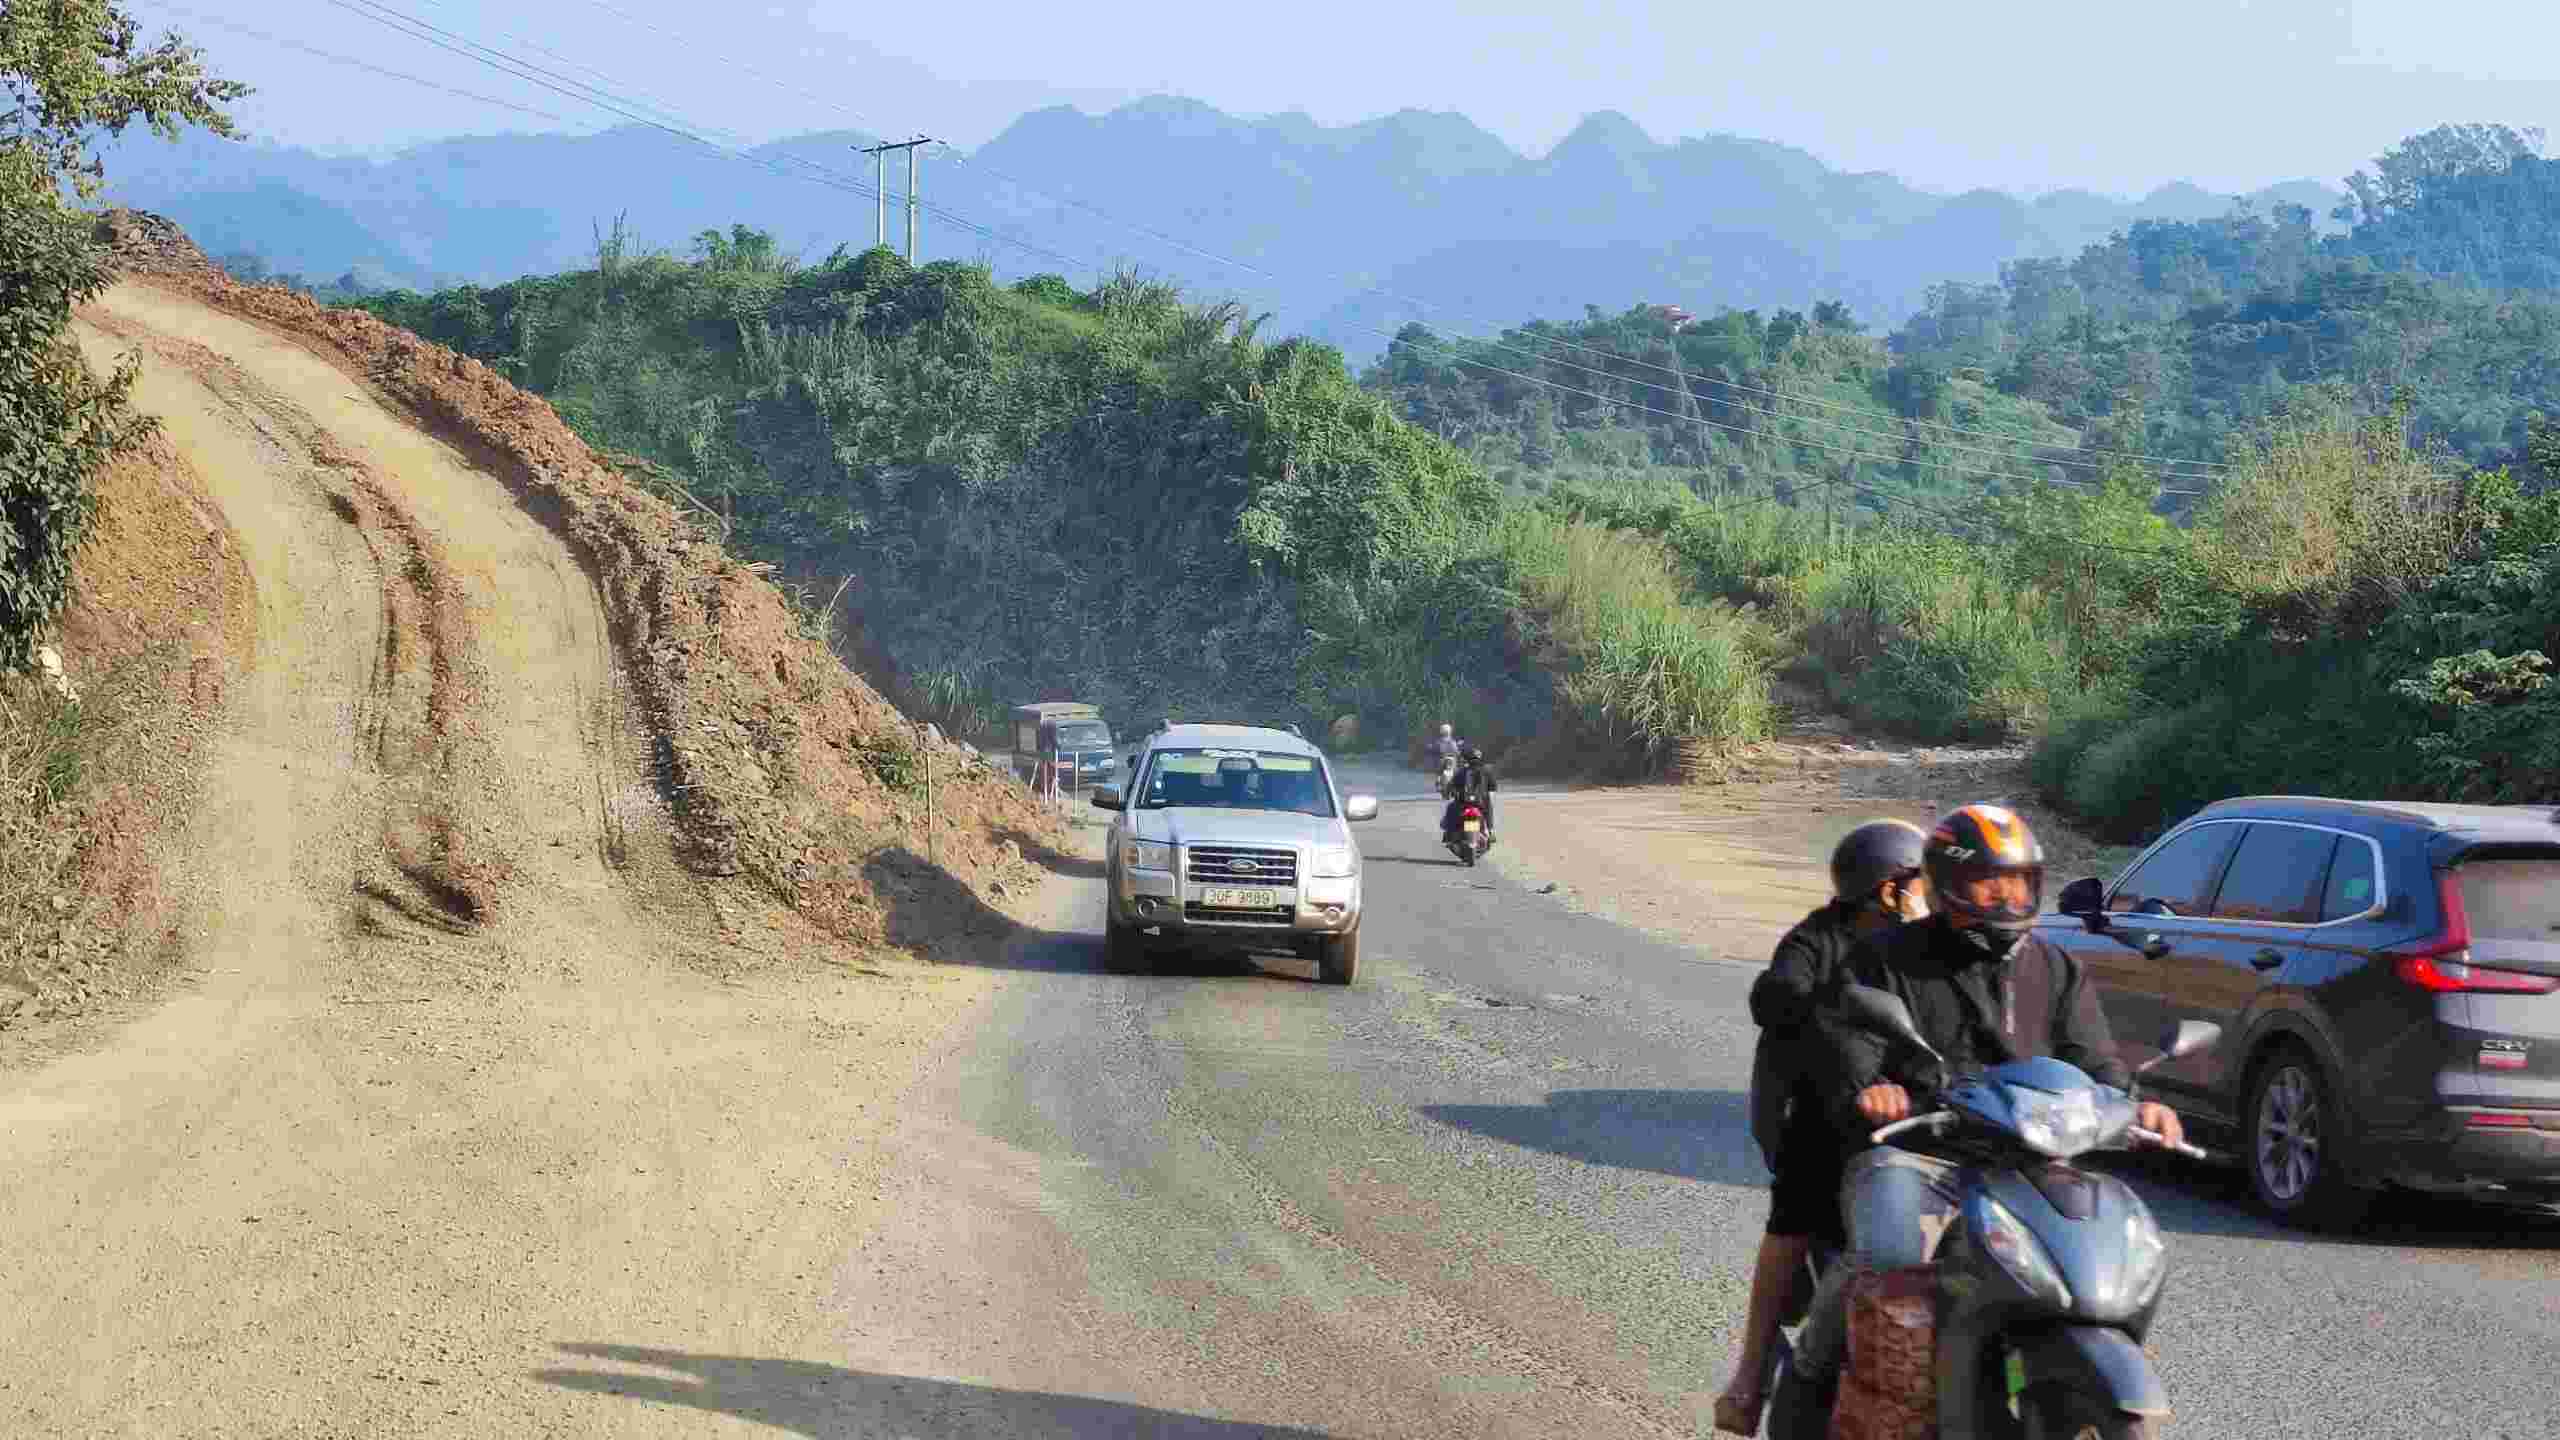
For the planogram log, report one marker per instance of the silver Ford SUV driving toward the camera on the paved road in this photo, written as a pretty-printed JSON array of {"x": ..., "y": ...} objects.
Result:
[{"x": 1233, "y": 837}]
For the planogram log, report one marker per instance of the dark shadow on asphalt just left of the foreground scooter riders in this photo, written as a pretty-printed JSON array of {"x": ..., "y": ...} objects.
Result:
[{"x": 1691, "y": 1134}]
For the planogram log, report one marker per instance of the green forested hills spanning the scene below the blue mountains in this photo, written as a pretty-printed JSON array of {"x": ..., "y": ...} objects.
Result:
[{"x": 2211, "y": 506}]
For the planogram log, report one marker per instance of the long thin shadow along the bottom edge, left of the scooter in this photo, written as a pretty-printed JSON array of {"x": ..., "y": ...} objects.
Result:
[{"x": 808, "y": 1398}]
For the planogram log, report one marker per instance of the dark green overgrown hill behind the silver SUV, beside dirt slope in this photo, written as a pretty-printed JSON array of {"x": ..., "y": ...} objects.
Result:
[{"x": 1036, "y": 491}]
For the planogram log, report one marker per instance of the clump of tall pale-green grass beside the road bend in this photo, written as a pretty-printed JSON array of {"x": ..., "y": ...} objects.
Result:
[{"x": 1645, "y": 670}]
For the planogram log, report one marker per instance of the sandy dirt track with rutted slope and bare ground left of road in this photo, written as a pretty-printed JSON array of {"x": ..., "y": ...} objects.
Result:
[{"x": 536, "y": 919}]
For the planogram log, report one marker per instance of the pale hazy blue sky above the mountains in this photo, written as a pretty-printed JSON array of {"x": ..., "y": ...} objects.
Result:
[{"x": 2008, "y": 94}]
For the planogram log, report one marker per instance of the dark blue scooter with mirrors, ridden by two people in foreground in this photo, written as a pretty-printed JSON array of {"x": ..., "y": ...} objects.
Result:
[{"x": 2049, "y": 1277}]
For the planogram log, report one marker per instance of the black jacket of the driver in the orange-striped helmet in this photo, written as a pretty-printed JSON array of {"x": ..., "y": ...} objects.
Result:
[{"x": 1972, "y": 1008}]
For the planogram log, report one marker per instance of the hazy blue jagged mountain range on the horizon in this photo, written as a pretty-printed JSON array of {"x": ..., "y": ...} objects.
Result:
[{"x": 1345, "y": 232}]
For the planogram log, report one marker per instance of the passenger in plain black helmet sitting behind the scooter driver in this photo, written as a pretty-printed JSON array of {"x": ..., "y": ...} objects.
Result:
[{"x": 1878, "y": 883}]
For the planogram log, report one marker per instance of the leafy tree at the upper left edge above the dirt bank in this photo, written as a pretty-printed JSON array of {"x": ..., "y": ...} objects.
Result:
[{"x": 68, "y": 70}]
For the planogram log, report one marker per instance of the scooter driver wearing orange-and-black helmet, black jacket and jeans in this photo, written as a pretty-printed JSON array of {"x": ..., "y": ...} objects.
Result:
[{"x": 1983, "y": 993}]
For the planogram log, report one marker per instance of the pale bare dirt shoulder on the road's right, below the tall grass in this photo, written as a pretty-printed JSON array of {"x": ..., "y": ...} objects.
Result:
[{"x": 1732, "y": 867}]
